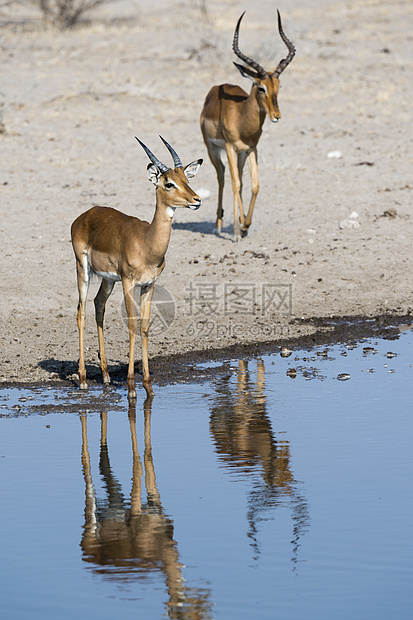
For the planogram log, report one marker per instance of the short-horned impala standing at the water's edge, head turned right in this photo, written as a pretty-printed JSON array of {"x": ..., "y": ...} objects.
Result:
[{"x": 119, "y": 247}]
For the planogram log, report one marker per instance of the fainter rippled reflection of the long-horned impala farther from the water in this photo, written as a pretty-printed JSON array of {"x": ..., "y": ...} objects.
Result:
[{"x": 243, "y": 437}]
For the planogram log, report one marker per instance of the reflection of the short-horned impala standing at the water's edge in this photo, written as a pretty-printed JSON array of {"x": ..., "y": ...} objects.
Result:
[{"x": 128, "y": 540}]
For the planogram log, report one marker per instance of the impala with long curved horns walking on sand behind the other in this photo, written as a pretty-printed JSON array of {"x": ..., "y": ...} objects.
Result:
[{"x": 232, "y": 120}]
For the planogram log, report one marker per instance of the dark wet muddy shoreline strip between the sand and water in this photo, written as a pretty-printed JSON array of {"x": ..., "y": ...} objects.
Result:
[{"x": 185, "y": 367}]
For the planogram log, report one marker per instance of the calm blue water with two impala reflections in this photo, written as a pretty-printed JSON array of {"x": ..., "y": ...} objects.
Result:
[{"x": 279, "y": 488}]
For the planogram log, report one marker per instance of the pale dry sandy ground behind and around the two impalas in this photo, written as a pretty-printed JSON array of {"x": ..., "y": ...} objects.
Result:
[{"x": 332, "y": 232}]
